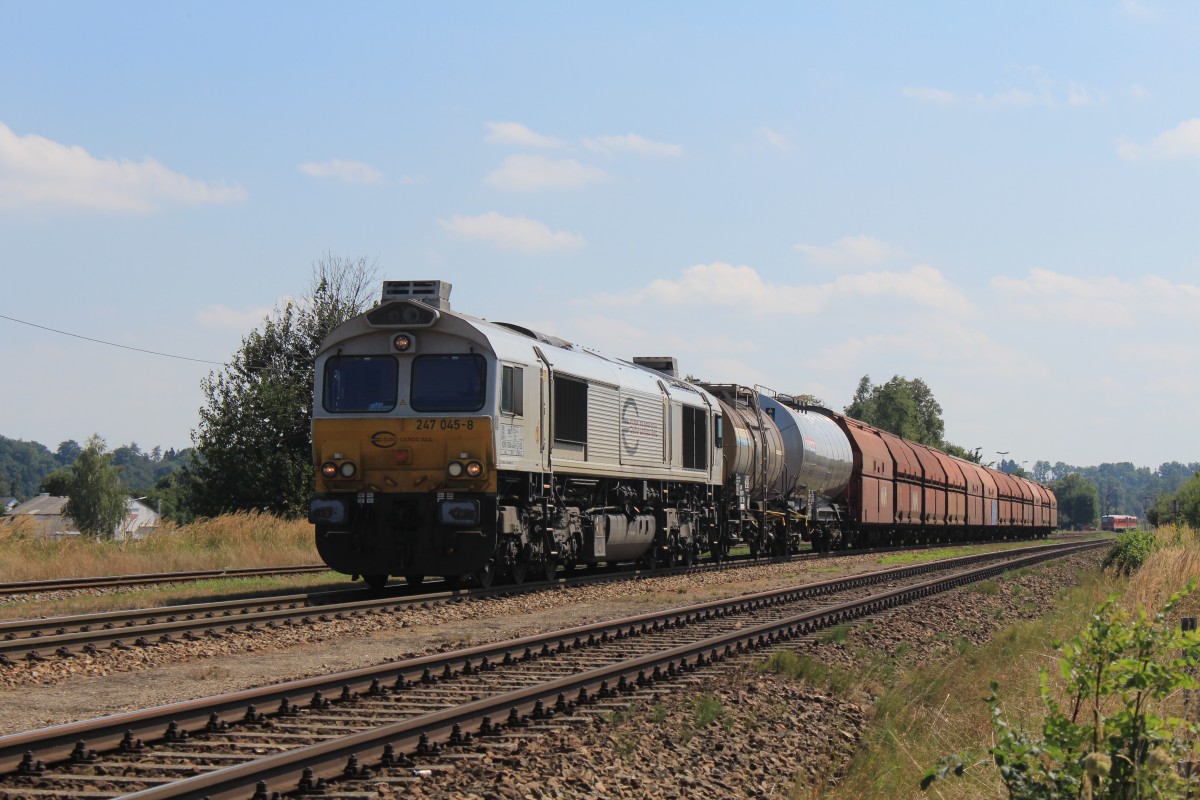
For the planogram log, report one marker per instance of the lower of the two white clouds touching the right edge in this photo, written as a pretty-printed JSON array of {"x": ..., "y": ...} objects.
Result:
[{"x": 1101, "y": 302}]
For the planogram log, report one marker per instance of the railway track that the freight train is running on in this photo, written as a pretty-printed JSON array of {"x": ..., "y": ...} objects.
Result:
[{"x": 63, "y": 637}]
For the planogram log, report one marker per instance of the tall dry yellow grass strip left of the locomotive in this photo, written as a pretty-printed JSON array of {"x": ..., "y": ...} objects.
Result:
[{"x": 230, "y": 542}]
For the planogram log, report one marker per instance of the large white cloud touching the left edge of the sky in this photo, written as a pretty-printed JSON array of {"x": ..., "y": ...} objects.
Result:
[{"x": 38, "y": 172}]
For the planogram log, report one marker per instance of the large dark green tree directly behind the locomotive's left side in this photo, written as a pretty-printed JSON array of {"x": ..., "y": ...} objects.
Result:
[{"x": 254, "y": 444}]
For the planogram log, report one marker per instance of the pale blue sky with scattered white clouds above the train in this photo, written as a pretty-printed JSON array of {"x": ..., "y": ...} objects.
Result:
[{"x": 999, "y": 199}]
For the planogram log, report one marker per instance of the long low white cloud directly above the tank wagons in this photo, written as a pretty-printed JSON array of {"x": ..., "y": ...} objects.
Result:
[{"x": 721, "y": 285}]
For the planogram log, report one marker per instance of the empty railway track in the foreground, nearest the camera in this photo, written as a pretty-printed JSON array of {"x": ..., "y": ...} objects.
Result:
[{"x": 387, "y": 723}]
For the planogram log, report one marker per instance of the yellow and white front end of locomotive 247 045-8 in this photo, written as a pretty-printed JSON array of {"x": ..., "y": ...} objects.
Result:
[{"x": 404, "y": 442}]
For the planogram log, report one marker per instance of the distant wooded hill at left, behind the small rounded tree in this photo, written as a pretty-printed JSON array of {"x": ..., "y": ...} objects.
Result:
[{"x": 26, "y": 465}]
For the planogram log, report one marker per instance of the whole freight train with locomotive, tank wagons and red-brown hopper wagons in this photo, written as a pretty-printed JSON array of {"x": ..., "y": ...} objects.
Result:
[{"x": 449, "y": 446}]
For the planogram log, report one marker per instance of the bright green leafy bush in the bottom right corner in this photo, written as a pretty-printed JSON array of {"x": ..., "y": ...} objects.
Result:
[{"x": 1112, "y": 743}]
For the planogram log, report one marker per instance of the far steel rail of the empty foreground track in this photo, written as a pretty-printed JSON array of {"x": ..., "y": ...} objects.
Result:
[{"x": 58, "y": 743}]
